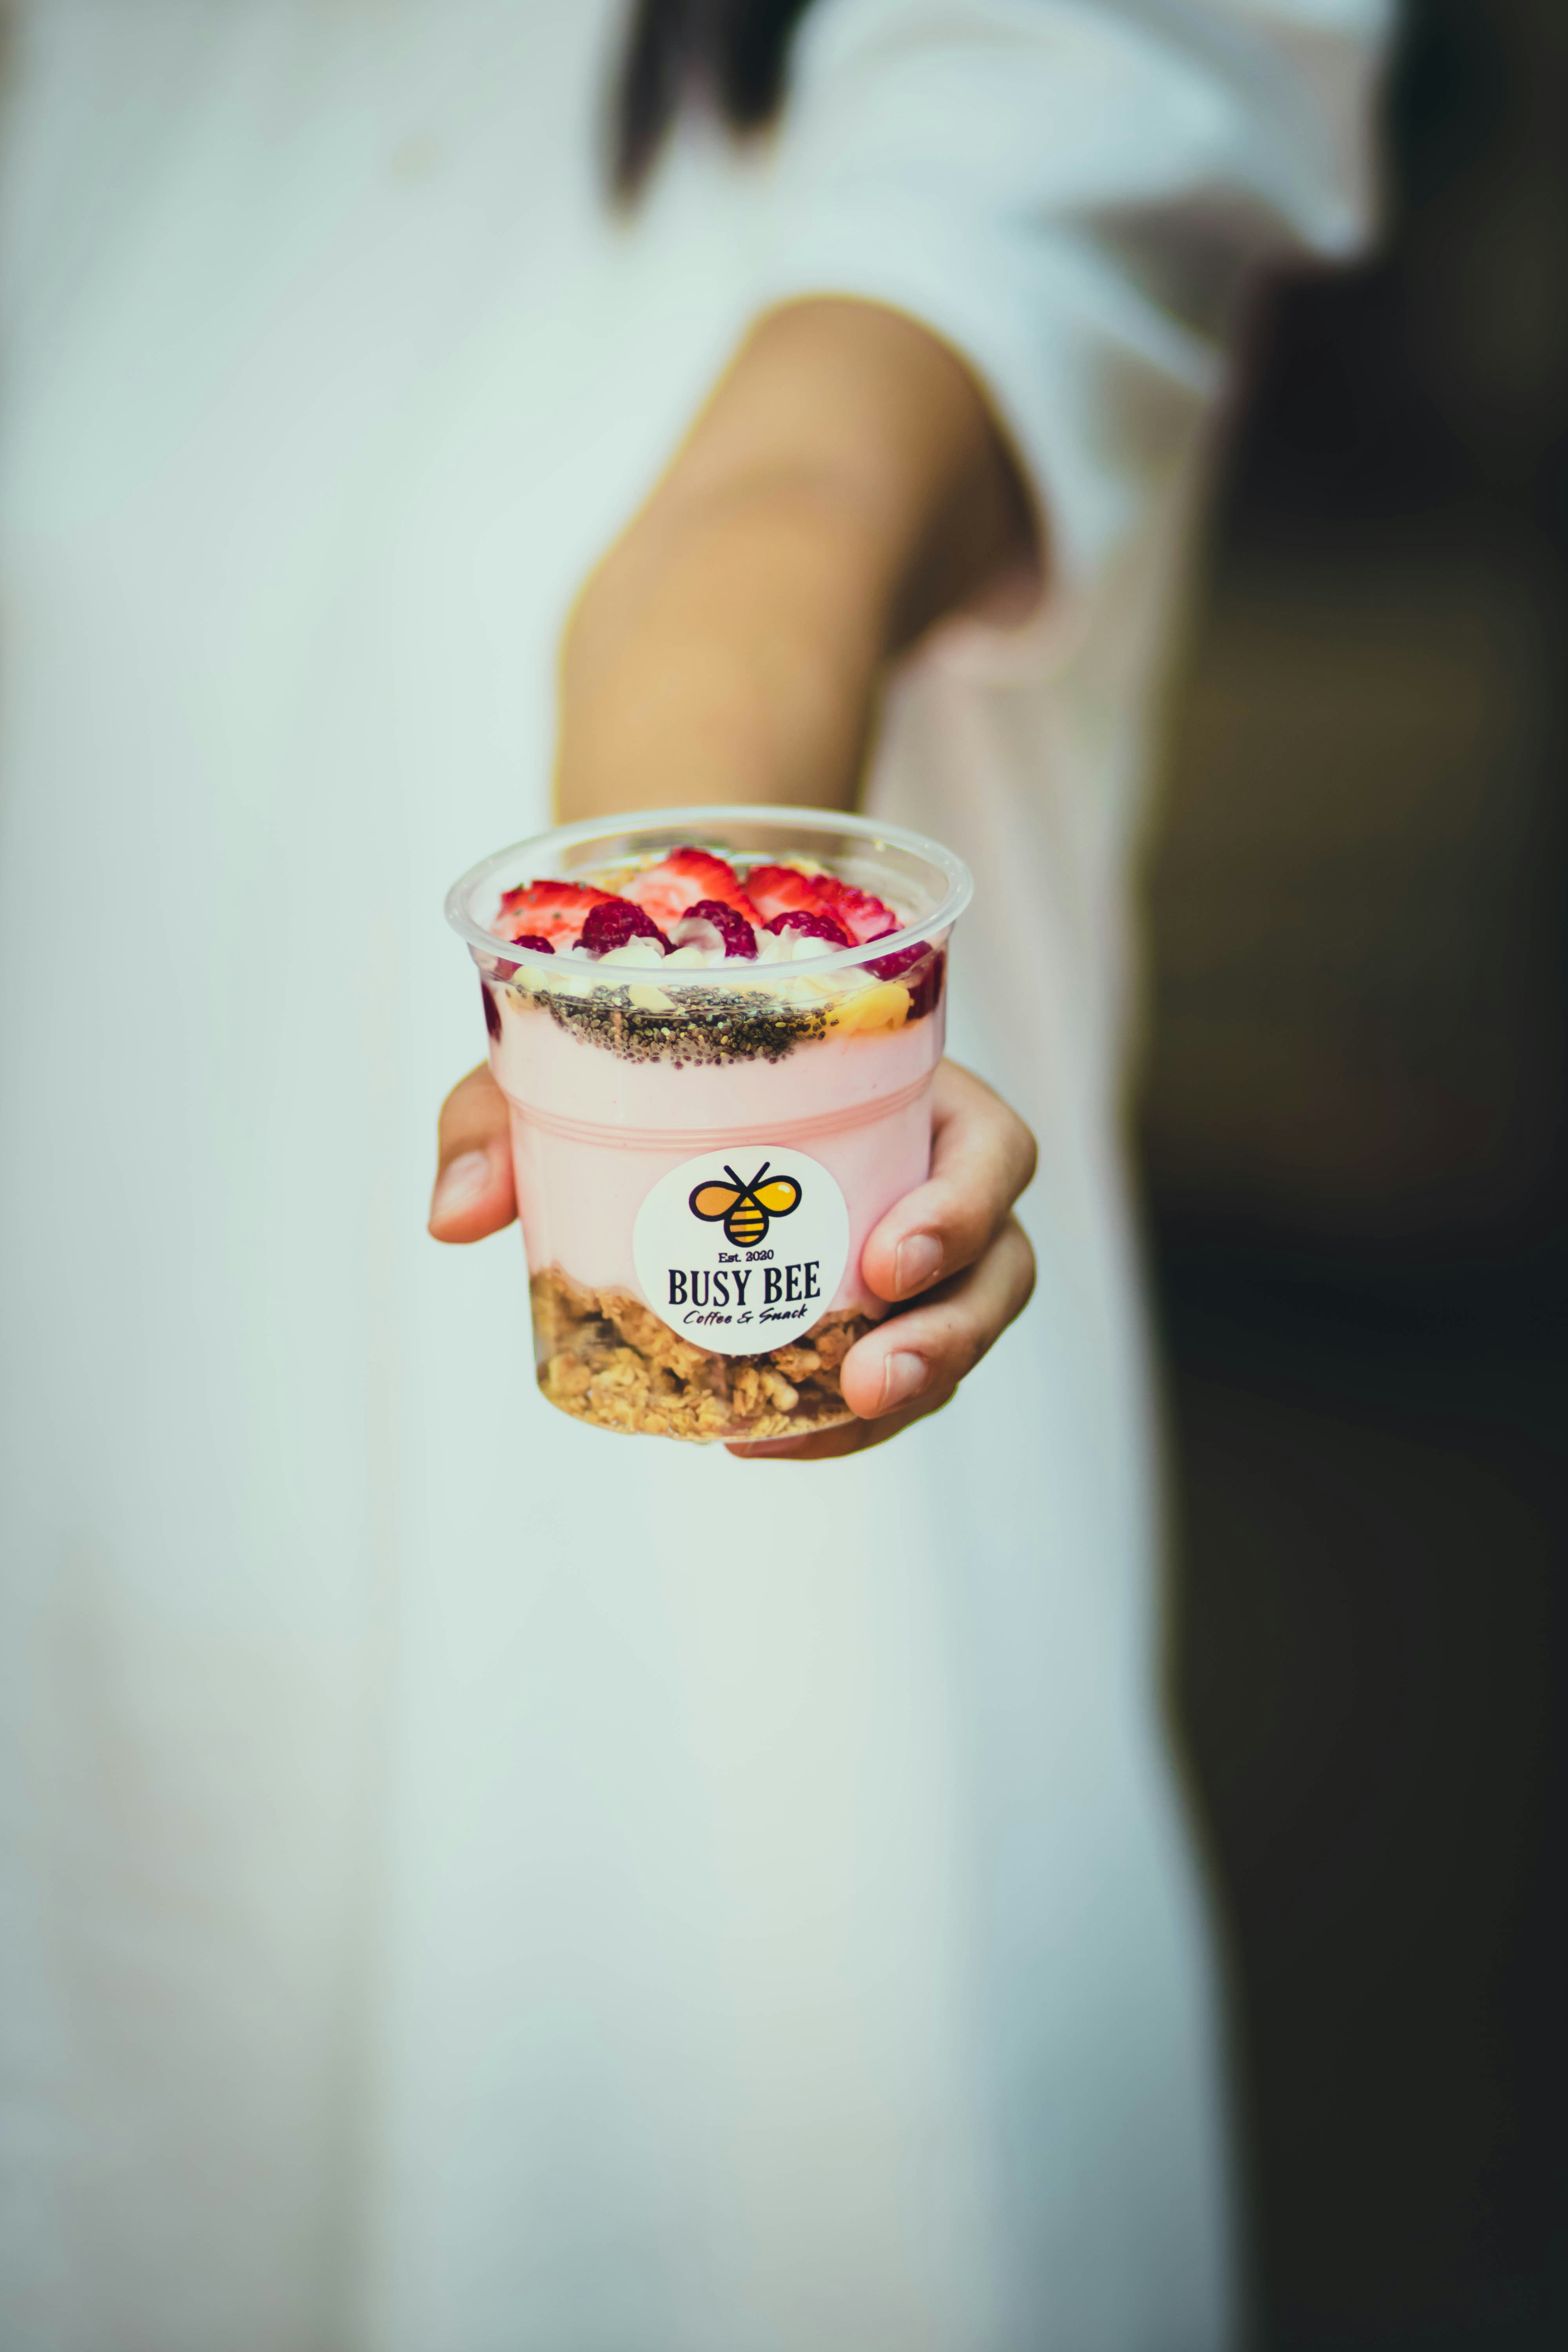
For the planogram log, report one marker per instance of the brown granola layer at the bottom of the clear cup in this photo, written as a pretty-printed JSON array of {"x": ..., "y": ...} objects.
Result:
[{"x": 610, "y": 1361}]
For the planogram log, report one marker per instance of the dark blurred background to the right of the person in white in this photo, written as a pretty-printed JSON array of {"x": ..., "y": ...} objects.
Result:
[{"x": 1358, "y": 1163}]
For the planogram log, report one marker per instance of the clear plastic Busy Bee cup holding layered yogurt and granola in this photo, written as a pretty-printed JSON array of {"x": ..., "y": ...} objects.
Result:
[{"x": 702, "y": 1154}]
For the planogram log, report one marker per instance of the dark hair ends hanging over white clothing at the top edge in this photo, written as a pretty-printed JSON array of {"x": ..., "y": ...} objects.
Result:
[{"x": 730, "y": 55}]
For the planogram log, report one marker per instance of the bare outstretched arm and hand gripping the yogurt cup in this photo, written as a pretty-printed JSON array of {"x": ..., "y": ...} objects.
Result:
[{"x": 840, "y": 493}]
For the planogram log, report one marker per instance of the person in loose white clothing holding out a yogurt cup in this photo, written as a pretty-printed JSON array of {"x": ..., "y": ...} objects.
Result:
[{"x": 469, "y": 1883}]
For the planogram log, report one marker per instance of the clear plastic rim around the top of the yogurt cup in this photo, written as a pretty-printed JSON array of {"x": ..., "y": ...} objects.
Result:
[{"x": 695, "y": 824}]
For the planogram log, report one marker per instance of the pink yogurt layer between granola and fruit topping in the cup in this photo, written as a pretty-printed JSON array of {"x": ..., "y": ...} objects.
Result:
[{"x": 594, "y": 1132}]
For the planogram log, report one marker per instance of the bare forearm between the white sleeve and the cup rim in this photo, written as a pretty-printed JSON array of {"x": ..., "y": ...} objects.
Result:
[{"x": 843, "y": 490}]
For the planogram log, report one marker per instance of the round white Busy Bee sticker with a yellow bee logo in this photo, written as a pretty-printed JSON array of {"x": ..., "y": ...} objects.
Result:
[{"x": 742, "y": 1250}]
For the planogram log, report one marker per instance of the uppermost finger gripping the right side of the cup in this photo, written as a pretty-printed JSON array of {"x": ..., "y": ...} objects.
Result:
[{"x": 981, "y": 1161}]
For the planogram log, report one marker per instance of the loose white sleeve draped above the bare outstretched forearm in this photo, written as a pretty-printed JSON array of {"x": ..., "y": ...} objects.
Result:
[{"x": 1073, "y": 194}]
